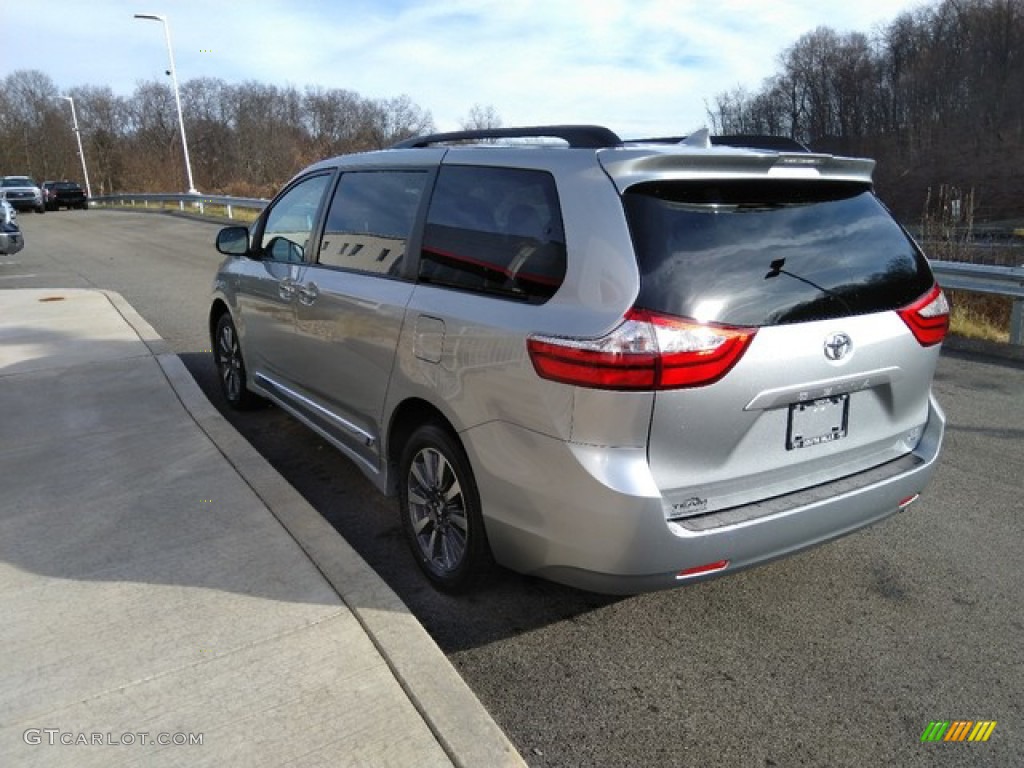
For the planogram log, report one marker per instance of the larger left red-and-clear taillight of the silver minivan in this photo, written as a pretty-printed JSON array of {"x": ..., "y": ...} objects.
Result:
[{"x": 647, "y": 352}]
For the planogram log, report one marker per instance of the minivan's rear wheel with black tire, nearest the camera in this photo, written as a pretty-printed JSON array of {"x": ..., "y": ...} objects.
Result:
[{"x": 441, "y": 510}]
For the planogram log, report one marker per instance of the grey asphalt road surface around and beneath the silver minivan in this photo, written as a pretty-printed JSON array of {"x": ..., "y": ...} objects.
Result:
[{"x": 838, "y": 657}]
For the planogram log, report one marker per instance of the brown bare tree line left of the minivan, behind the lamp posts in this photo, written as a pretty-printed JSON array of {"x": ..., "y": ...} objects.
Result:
[{"x": 244, "y": 140}]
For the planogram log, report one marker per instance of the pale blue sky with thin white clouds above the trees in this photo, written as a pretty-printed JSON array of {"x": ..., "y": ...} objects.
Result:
[{"x": 641, "y": 67}]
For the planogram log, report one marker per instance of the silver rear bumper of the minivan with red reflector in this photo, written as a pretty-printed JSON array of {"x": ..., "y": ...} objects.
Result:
[{"x": 593, "y": 519}]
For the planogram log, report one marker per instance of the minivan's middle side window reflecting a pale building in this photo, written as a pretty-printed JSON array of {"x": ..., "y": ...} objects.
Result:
[{"x": 370, "y": 221}]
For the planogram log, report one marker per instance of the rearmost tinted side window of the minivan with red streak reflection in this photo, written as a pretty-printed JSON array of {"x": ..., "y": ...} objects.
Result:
[{"x": 495, "y": 231}]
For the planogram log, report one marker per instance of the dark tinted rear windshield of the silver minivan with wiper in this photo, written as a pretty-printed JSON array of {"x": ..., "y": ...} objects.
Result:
[{"x": 771, "y": 253}]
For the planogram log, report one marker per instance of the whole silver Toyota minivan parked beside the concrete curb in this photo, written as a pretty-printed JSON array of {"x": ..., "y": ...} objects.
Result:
[{"x": 623, "y": 366}]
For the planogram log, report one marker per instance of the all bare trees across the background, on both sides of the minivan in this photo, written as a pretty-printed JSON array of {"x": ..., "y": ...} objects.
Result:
[{"x": 936, "y": 97}]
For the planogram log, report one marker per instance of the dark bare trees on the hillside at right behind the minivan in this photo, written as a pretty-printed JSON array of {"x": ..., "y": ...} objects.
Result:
[{"x": 936, "y": 97}]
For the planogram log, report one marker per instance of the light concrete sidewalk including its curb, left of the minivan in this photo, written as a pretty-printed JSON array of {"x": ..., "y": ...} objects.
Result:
[{"x": 166, "y": 599}]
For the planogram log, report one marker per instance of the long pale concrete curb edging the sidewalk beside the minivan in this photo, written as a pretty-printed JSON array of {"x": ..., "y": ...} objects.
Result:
[{"x": 463, "y": 729}]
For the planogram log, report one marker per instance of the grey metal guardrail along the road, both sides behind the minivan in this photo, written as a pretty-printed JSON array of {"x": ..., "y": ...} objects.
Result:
[{"x": 1002, "y": 281}]
